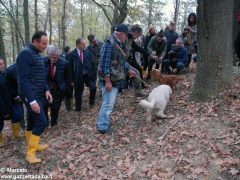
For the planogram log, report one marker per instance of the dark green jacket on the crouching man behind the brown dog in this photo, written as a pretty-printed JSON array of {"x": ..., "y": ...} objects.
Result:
[{"x": 160, "y": 49}]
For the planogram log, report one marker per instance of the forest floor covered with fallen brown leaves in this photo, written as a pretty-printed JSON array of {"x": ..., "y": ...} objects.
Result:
[{"x": 199, "y": 141}]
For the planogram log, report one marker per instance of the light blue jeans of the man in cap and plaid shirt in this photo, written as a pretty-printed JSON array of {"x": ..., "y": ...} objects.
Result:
[{"x": 109, "y": 98}]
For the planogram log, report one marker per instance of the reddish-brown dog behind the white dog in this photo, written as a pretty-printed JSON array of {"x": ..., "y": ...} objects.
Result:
[{"x": 170, "y": 80}]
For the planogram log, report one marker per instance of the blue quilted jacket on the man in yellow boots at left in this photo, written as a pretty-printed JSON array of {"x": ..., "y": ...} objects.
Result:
[{"x": 32, "y": 75}]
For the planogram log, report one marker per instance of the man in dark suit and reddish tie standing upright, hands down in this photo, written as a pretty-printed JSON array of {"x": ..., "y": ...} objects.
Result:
[{"x": 83, "y": 71}]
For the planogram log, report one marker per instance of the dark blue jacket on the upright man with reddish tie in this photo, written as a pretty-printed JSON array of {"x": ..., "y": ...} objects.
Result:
[{"x": 77, "y": 67}]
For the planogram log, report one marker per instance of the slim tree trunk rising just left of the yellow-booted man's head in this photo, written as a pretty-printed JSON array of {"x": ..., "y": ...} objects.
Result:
[{"x": 26, "y": 21}]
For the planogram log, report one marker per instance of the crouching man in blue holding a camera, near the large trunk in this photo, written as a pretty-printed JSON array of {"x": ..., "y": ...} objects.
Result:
[{"x": 177, "y": 58}]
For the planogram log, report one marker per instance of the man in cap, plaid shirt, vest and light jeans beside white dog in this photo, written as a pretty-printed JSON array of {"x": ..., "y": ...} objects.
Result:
[{"x": 112, "y": 71}]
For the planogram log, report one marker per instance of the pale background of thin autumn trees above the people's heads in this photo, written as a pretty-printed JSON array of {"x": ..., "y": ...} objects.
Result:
[{"x": 65, "y": 20}]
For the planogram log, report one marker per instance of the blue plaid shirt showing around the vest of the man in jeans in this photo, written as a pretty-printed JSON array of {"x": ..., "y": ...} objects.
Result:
[{"x": 106, "y": 57}]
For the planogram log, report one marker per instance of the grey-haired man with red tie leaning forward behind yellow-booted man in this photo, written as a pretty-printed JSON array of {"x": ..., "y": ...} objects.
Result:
[{"x": 58, "y": 78}]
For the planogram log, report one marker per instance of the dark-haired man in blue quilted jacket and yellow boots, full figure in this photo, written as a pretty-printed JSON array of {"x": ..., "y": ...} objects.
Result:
[{"x": 34, "y": 92}]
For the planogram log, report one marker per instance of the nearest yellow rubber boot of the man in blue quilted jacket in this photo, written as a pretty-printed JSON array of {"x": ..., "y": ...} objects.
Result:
[{"x": 32, "y": 148}]
